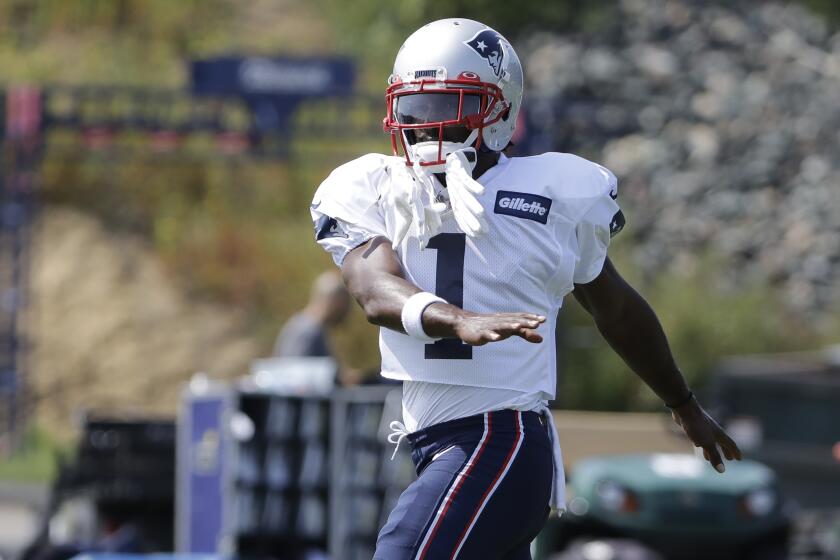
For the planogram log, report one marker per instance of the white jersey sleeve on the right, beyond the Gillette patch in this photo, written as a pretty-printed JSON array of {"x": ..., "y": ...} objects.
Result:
[{"x": 599, "y": 224}]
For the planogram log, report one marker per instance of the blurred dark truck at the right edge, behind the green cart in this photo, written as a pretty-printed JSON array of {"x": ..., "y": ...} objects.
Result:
[{"x": 784, "y": 410}]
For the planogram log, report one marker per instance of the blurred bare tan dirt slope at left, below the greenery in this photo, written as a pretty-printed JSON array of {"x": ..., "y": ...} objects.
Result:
[{"x": 110, "y": 331}]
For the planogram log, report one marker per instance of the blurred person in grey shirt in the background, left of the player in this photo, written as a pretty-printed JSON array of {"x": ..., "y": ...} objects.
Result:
[{"x": 306, "y": 333}]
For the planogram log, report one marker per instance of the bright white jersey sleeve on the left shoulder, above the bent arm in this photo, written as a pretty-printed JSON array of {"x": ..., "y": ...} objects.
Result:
[{"x": 345, "y": 209}]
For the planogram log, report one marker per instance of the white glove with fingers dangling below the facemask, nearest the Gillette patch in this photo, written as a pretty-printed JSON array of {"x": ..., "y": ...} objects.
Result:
[{"x": 463, "y": 192}]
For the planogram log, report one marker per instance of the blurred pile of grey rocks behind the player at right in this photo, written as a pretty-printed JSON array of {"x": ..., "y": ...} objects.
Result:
[{"x": 720, "y": 119}]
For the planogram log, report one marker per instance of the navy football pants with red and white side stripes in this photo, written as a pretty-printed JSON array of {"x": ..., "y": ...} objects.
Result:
[{"x": 482, "y": 490}]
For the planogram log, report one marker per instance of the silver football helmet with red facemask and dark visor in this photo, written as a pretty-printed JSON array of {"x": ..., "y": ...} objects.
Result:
[{"x": 456, "y": 84}]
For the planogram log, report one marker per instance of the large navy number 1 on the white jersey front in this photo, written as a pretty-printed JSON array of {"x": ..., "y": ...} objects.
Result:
[{"x": 449, "y": 284}]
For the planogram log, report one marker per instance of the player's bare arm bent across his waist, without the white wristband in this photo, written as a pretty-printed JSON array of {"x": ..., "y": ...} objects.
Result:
[{"x": 373, "y": 275}]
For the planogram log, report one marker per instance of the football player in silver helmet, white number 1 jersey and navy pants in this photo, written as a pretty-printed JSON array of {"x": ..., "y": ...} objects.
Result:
[{"x": 463, "y": 257}]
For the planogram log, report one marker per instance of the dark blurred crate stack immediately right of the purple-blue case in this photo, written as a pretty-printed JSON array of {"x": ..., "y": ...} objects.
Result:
[{"x": 281, "y": 482}]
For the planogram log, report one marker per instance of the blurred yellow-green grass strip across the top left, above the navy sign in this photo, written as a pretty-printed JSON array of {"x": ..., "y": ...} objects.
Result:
[{"x": 145, "y": 42}]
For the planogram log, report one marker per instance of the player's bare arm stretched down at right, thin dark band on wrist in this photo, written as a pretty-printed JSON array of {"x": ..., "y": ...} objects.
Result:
[{"x": 631, "y": 328}]
